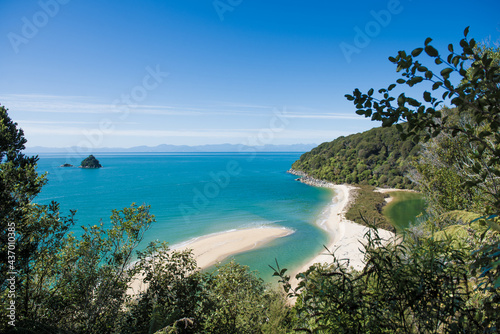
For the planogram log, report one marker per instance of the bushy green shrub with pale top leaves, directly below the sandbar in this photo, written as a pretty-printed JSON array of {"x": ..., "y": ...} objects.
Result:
[{"x": 174, "y": 286}]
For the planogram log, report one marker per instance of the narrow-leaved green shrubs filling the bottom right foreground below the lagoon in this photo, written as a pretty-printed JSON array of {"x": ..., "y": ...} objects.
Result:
[{"x": 419, "y": 285}]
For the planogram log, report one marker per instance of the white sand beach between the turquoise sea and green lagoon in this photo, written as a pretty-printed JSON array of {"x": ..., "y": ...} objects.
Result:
[{"x": 344, "y": 235}]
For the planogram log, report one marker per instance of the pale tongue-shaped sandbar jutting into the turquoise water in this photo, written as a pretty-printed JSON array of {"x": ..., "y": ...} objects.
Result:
[{"x": 211, "y": 249}]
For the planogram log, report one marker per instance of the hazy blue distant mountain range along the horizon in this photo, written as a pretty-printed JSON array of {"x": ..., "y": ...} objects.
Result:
[{"x": 176, "y": 149}]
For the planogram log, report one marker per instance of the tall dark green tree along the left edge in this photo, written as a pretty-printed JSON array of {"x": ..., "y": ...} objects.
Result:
[{"x": 28, "y": 232}]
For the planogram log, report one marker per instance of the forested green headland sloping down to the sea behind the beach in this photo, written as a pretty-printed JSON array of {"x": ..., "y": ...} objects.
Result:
[{"x": 376, "y": 157}]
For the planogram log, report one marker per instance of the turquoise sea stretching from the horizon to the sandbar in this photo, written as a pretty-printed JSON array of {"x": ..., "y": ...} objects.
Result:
[{"x": 192, "y": 195}]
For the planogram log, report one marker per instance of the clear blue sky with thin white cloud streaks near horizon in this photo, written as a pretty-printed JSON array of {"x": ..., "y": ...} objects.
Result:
[{"x": 125, "y": 73}]
